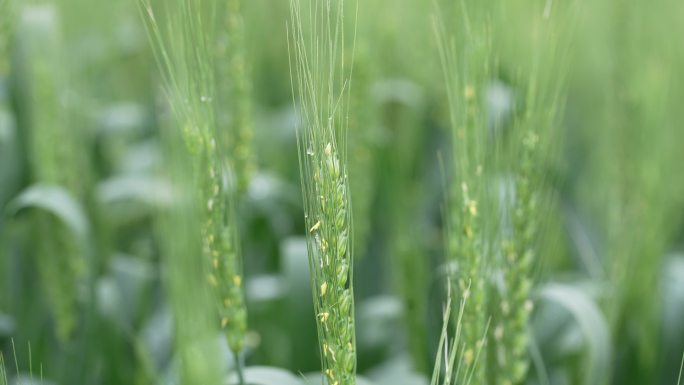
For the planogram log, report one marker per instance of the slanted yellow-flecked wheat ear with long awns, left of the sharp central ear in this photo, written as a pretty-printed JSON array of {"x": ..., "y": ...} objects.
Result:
[{"x": 185, "y": 50}]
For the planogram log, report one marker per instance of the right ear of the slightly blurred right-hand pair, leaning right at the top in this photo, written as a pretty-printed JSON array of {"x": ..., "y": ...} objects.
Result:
[{"x": 531, "y": 148}]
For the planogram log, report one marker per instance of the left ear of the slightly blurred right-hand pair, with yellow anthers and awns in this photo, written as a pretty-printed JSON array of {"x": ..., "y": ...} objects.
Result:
[{"x": 471, "y": 219}]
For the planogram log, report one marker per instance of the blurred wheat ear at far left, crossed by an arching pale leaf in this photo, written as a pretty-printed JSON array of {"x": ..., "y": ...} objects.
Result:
[{"x": 56, "y": 158}]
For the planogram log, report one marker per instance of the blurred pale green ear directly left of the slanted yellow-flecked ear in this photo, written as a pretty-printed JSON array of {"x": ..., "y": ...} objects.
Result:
[{"x": 195, "y": 326}]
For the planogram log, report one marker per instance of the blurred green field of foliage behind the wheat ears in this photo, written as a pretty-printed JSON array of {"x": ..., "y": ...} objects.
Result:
[{"x": 83, "y": 186}]
